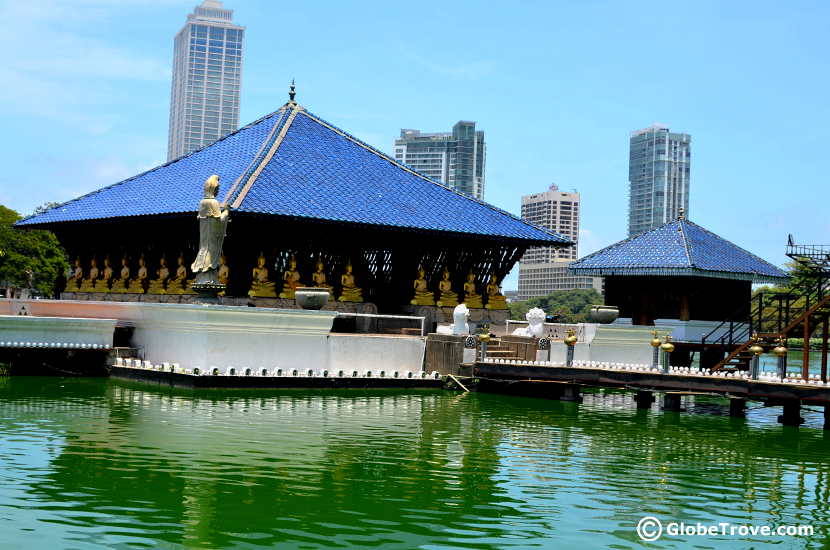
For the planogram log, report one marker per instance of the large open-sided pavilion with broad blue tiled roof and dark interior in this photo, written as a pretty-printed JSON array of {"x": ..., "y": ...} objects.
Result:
[{"x": 299, "y": 186}]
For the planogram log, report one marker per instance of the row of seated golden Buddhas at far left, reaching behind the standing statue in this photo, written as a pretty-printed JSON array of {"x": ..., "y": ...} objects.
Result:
[{"x": 105, "y": 280}]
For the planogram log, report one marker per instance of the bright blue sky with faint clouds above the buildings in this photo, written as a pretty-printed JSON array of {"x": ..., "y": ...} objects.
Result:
[{"x": 556, "y": 87}]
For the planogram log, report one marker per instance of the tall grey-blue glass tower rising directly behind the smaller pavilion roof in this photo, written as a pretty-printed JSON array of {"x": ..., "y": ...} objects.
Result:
[{"x": 658, "y": 176}]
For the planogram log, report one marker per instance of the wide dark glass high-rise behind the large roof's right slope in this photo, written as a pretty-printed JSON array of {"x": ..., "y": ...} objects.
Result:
[{"x": 455, "y": 158}]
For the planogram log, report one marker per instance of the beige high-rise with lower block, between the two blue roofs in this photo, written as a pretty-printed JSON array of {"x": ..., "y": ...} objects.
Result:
[{"x": 544, "y": 269}]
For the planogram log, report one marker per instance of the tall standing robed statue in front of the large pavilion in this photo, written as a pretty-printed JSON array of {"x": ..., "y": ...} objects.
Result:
[{"x": 213, "y": 221}]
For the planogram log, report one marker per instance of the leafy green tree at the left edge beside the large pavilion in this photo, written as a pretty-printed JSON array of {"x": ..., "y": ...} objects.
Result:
[{"x": 29, "y": 258}]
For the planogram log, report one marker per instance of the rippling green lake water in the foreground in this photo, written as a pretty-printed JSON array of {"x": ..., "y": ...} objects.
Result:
[{"x": 96, "y": 463}]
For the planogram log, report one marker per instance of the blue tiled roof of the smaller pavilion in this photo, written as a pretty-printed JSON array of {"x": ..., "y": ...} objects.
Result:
[{"x": 679, "y": 247}]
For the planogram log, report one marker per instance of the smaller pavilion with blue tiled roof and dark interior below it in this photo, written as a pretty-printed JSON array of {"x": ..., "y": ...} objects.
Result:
[{"x": 677, "y": 271}]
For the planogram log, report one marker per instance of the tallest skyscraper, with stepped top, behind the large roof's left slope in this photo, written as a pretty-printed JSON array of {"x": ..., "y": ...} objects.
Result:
[{"x": 207, "y": 71}]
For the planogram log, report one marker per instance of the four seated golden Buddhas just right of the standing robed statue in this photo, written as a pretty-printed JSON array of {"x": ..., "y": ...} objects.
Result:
[{"x": 263, "y": 287}]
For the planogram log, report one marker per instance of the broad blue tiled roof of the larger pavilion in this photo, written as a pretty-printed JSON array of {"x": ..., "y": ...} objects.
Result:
[{"x": 292, "y": 163}]
